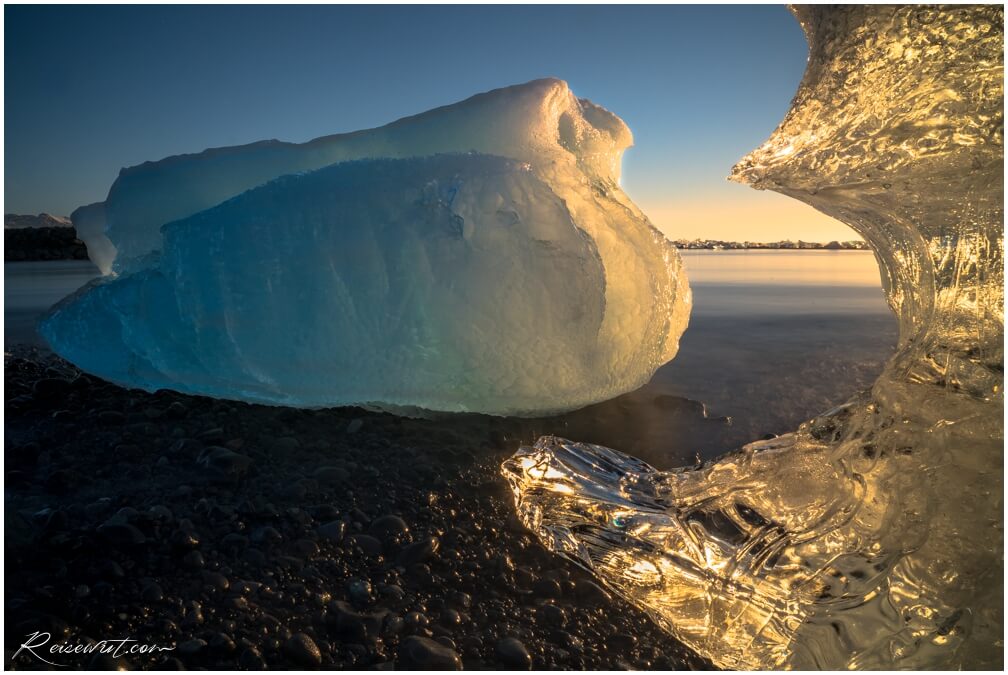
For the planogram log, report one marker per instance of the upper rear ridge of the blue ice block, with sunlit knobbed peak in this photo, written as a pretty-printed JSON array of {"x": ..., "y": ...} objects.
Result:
[{"x": 564, "y": 139}]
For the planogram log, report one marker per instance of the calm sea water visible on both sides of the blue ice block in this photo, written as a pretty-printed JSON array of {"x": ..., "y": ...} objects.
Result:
[{"x": 776, "y": 338}]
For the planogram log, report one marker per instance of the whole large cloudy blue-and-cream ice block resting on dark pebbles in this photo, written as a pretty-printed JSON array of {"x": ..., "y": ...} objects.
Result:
[{"x": 478, "y": 257}]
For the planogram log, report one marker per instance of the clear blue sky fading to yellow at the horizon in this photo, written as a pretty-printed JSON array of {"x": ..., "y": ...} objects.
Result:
[{"x": 90, "y": 90}]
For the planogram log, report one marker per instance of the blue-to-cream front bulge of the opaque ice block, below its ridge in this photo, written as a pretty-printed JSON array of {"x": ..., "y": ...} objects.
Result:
[{"x": 453, "y": 283}]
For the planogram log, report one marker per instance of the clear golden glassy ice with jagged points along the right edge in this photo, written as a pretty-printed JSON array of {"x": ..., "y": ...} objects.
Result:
[{"x": 872, "y": 537}]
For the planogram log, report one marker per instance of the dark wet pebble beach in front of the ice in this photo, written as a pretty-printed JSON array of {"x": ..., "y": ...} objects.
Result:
[{"x": 249, "y": 536}]
